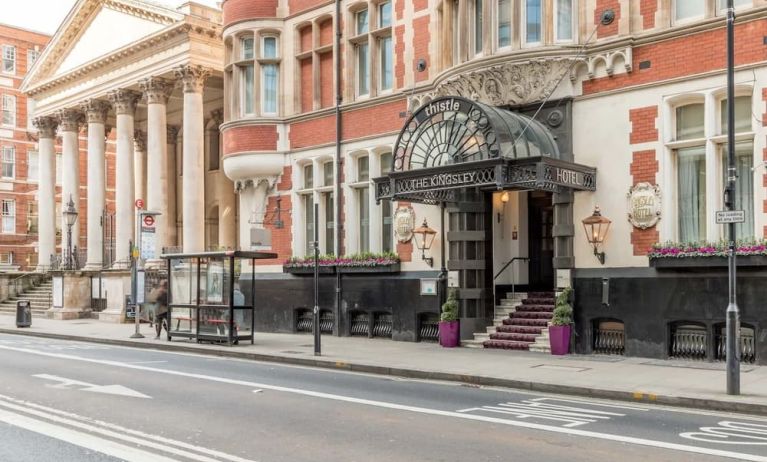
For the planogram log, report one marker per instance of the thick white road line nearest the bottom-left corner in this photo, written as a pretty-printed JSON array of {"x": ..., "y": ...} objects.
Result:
[{"x": 81, "y": 439}]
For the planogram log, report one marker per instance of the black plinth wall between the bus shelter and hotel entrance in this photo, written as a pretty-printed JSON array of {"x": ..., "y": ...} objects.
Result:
[{"x": 279, "y": 297}]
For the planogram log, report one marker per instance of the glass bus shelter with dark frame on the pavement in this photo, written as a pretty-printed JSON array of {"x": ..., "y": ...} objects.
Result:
[{"x": 205, "y": 299}]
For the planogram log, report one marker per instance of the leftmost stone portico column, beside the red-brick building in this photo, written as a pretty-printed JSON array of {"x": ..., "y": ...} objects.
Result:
[{"x": 46, "y": 192}]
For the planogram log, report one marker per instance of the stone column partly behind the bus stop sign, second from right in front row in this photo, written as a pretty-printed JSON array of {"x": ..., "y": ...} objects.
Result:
[{"x": 156, "y": 91}]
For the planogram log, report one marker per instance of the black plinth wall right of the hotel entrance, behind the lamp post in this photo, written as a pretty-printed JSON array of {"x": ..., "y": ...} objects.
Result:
[{"x": 650, "y": 301}]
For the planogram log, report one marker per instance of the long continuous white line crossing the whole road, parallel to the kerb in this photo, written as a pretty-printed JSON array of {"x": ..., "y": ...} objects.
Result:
[{"x": 385, "y": 405}]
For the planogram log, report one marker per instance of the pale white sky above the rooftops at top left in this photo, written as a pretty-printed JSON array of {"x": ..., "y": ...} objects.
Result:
[{"x": 27, "y": 13}]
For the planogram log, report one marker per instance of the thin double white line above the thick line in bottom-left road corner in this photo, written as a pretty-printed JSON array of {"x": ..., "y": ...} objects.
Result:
[{"x": 135, "y": 437}]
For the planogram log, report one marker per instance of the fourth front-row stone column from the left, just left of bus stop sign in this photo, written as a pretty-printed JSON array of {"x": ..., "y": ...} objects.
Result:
[{"x": 124, "y": 102}]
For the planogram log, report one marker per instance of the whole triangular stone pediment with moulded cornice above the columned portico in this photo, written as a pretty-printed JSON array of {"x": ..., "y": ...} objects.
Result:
[{"x": 94, "y": 29}]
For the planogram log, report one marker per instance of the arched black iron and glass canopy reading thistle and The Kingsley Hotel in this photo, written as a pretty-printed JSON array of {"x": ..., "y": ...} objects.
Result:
[{"x": 453, "y": 142}]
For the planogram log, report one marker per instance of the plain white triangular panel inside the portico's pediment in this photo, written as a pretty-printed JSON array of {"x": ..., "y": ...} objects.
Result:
[{"x": 108, "y": 31}]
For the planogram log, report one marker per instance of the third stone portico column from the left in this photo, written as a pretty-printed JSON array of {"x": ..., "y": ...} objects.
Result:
[{"x": 96, "y": 112}]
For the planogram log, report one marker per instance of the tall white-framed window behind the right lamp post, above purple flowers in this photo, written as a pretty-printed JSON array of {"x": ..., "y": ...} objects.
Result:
[{"x": 700, "y": 155}]
